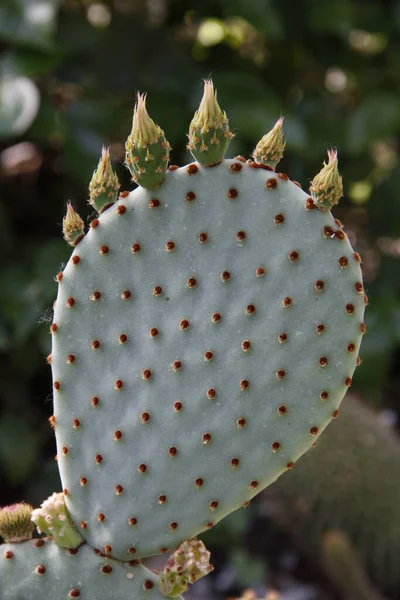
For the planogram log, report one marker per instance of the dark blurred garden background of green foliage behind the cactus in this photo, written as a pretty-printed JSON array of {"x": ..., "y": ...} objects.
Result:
[{"x": 69, "y": 71}]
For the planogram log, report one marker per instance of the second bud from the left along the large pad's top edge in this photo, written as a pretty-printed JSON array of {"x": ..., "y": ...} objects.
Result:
[{"x": 104, "y": 185}]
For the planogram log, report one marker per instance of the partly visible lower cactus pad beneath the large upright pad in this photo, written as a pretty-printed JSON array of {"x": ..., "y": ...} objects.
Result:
[{"x": 39, "y": 569}]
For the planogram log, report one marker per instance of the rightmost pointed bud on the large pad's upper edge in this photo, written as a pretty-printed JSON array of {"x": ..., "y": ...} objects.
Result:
[{"x": 326, "y": 188}]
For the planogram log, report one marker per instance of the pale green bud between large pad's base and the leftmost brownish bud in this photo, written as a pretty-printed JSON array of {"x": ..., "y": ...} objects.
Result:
[{"x": 53, "y": 519}]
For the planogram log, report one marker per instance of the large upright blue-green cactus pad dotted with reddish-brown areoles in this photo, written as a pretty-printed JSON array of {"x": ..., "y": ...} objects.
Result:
[{"x": 204, "y": 335}]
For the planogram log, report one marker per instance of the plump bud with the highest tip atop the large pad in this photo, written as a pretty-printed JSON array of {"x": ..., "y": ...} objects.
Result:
[{"x": 209, "y": 133}]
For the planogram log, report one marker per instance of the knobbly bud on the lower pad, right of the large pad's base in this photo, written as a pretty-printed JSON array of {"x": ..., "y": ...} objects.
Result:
[{"x": 187, "y": 564}]
